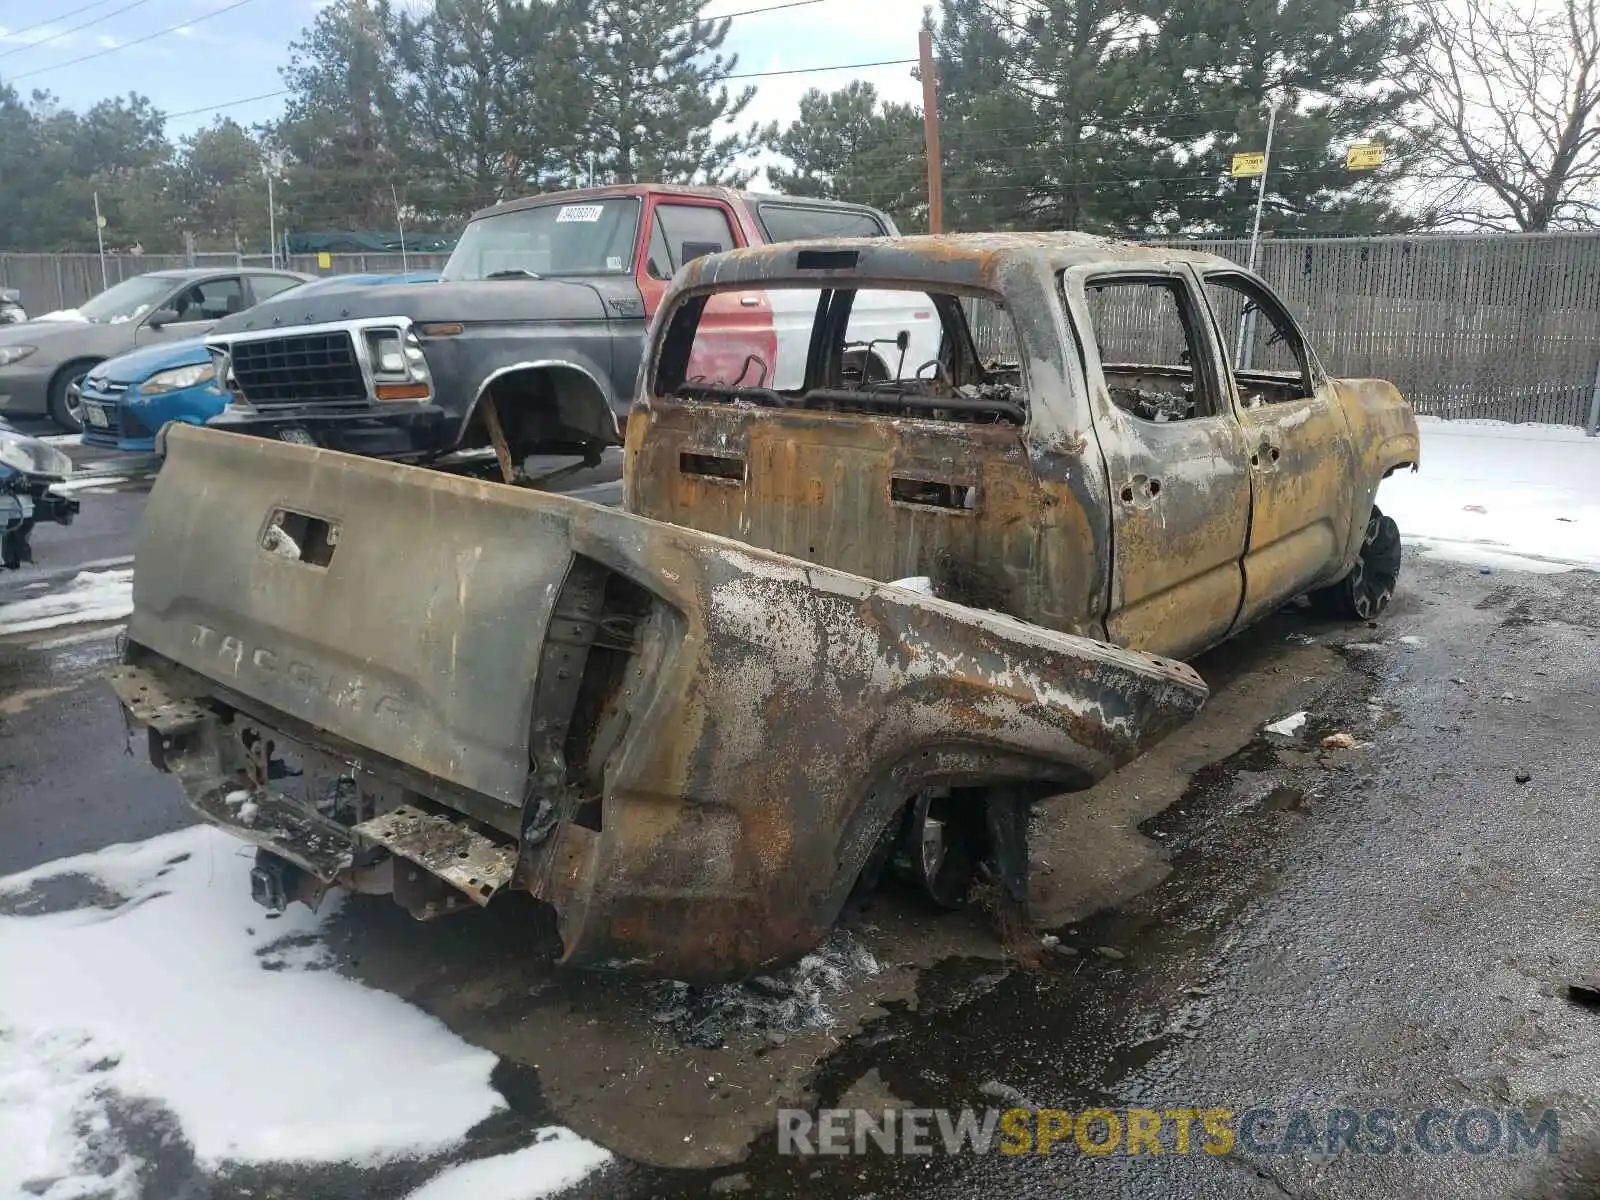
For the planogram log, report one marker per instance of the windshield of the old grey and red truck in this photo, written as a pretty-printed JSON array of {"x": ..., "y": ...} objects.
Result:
[{"x": 590, "y": 239}]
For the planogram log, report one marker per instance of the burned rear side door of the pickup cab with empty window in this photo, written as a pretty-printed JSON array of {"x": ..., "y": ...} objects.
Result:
[{"x": 1178, "y": 492}]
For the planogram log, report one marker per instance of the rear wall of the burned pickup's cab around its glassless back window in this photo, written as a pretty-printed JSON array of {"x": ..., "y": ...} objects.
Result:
[{"x": 1034, "y": 546}]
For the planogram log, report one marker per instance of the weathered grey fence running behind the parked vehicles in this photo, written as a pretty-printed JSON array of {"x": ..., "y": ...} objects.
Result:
[{"x": 1503, "y": 327}]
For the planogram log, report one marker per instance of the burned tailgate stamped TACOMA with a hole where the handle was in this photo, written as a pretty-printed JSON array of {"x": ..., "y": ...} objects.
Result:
[{"x": 407, "y": 620}]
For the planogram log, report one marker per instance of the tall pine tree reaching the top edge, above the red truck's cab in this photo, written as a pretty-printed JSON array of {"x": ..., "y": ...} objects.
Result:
[{"x": 658, "y": 82}]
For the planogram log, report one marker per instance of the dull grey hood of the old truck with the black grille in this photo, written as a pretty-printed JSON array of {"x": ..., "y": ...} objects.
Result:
[{"x": 508, "y": 300}]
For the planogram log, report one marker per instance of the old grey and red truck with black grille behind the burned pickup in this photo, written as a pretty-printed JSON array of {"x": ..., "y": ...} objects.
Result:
[{"x": 534, "y": 335}]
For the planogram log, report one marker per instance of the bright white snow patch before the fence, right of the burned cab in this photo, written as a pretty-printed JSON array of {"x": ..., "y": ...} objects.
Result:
[{"x": 1502, "y": 497}]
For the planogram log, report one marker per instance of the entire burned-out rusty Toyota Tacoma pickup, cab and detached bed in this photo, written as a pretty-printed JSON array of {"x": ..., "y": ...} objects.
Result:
[{"x": 697, "y": 726}]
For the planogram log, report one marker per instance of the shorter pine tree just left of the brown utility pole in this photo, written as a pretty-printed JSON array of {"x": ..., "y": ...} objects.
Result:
[{"x": 852, "y": 146}]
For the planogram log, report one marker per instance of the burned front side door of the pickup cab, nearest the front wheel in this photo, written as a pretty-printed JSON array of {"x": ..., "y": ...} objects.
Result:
[{"x": 1302, "y": 463}]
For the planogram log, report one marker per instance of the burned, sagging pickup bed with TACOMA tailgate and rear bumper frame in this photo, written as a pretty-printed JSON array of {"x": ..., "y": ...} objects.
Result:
[{"x": 406, "y": 682}]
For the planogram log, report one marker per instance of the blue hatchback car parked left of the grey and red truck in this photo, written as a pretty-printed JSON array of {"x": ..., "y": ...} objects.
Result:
[{"x": 129, "y": 401}]
